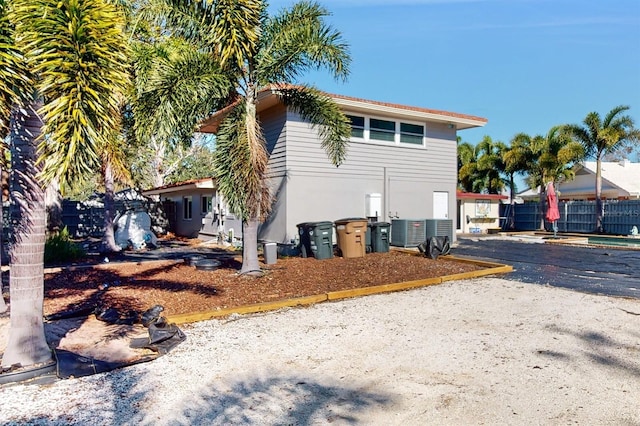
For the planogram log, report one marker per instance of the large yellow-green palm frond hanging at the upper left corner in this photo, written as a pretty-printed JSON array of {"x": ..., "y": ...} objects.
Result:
[{"x": 79, "y": 53}]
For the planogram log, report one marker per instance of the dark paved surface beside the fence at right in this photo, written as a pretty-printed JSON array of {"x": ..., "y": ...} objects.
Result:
[{"x": 610, "y": 271}]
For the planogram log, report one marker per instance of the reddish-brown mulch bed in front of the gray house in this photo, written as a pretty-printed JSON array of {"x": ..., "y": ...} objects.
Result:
[{"x": 181, "y": 288}]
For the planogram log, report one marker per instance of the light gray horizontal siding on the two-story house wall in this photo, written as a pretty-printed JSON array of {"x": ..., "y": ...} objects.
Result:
[{"x": 310, "y": 188}]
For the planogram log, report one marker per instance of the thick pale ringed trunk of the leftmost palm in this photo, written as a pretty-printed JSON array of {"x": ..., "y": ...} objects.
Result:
[{"x": 27, "y": 344}]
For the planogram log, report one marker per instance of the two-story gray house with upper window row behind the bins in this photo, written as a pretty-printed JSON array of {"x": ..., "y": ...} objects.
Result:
[{"x": 401, "y": 163}]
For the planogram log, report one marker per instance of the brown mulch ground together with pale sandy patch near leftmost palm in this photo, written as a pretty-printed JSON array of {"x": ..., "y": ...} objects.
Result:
[{"x": 94, "y": 310}]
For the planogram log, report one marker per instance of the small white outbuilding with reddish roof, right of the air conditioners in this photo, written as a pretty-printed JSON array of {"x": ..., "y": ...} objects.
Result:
[{"x": 478, "y": 213}]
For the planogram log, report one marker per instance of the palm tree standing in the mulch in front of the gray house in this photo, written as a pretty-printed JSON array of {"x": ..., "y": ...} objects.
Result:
[{"x": 265, "y": 53}]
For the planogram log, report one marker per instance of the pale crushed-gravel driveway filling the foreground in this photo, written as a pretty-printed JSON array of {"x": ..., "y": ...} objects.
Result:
[{"x": 483, "y": 351}]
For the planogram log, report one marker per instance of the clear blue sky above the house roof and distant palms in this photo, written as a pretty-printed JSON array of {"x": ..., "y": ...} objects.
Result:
[{"x": 525, "y": 65}]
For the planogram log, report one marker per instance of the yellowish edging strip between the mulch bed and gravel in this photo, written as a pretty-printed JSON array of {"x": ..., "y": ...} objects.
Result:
[{"x": 491, "y": 269}]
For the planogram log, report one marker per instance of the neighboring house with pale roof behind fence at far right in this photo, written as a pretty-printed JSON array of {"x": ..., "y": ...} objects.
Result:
[{"x": 620, "y": 181}]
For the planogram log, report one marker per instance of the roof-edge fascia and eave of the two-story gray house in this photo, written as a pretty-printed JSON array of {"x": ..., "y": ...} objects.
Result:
[{"x": 460, "y": 121}]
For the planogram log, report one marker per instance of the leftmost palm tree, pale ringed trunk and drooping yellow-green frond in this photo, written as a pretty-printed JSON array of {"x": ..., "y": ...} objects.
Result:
[{"x": 76, "y": 53}]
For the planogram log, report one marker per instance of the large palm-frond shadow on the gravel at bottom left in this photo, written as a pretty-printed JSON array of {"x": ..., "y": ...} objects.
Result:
[{"x": 275, "y": 400}]
